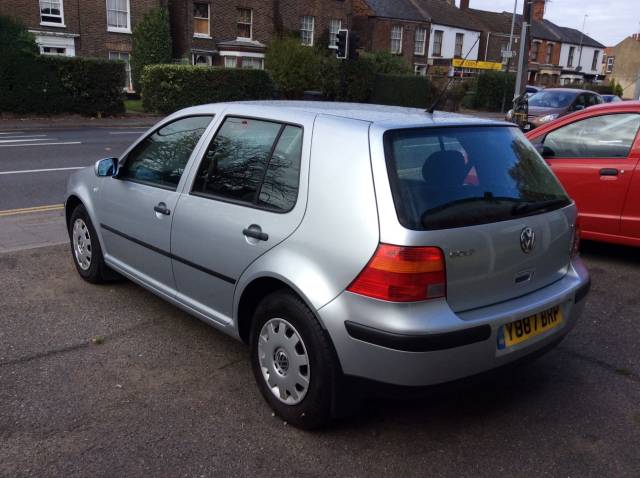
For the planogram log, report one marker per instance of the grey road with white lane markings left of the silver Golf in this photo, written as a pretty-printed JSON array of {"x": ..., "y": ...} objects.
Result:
[{"x": 35, "y": 163}]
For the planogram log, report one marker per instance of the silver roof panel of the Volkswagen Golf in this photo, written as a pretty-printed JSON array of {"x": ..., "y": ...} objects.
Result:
[{"x": 389, "y": 116}]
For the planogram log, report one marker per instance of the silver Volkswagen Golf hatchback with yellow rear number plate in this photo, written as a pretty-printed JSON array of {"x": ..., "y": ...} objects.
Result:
[{"x": 342, "y": 242}]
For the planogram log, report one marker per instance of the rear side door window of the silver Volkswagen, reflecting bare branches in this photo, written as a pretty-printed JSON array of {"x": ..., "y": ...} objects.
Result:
[{"x": 256, "y": 162}]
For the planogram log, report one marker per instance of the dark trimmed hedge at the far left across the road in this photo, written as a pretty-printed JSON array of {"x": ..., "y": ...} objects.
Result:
[{"x": 50, "y": 85}]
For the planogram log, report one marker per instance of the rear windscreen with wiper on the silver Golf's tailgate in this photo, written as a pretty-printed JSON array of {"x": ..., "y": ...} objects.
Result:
[{"x": 463, "y": 176}]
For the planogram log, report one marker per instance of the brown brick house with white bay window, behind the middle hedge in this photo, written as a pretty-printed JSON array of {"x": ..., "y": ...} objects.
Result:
[{"x": 235, "y": 34}]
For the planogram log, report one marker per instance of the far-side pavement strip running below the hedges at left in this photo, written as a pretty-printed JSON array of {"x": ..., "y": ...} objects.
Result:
[{"x": 14, "y": 122}]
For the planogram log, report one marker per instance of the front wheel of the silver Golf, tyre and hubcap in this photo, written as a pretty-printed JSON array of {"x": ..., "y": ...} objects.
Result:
[{"x": 86, "y": 250}]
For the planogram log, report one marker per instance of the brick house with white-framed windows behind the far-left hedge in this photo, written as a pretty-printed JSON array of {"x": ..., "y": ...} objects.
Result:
[{"x": 97, "y": 28}]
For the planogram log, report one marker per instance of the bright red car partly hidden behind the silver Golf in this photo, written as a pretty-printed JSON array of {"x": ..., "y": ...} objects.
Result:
[{"x": 596, "y": 155}]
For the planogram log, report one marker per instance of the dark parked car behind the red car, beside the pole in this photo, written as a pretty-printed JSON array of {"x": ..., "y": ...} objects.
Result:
[{"x": 552, "y": 103}]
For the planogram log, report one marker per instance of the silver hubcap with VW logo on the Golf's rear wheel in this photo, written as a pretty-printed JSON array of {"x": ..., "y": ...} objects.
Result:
[{"x": 284, "y": 361}]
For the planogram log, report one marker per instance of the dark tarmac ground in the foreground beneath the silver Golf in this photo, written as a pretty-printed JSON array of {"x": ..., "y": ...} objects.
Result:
[{"x": 165, "y": 395}]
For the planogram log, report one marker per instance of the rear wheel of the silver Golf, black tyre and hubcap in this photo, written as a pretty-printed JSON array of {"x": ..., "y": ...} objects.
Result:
[{"x": 284, "y": 335}]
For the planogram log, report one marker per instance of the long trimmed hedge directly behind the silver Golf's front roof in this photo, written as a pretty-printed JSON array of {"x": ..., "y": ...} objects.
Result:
[{"x": 167, "y": 88}]
